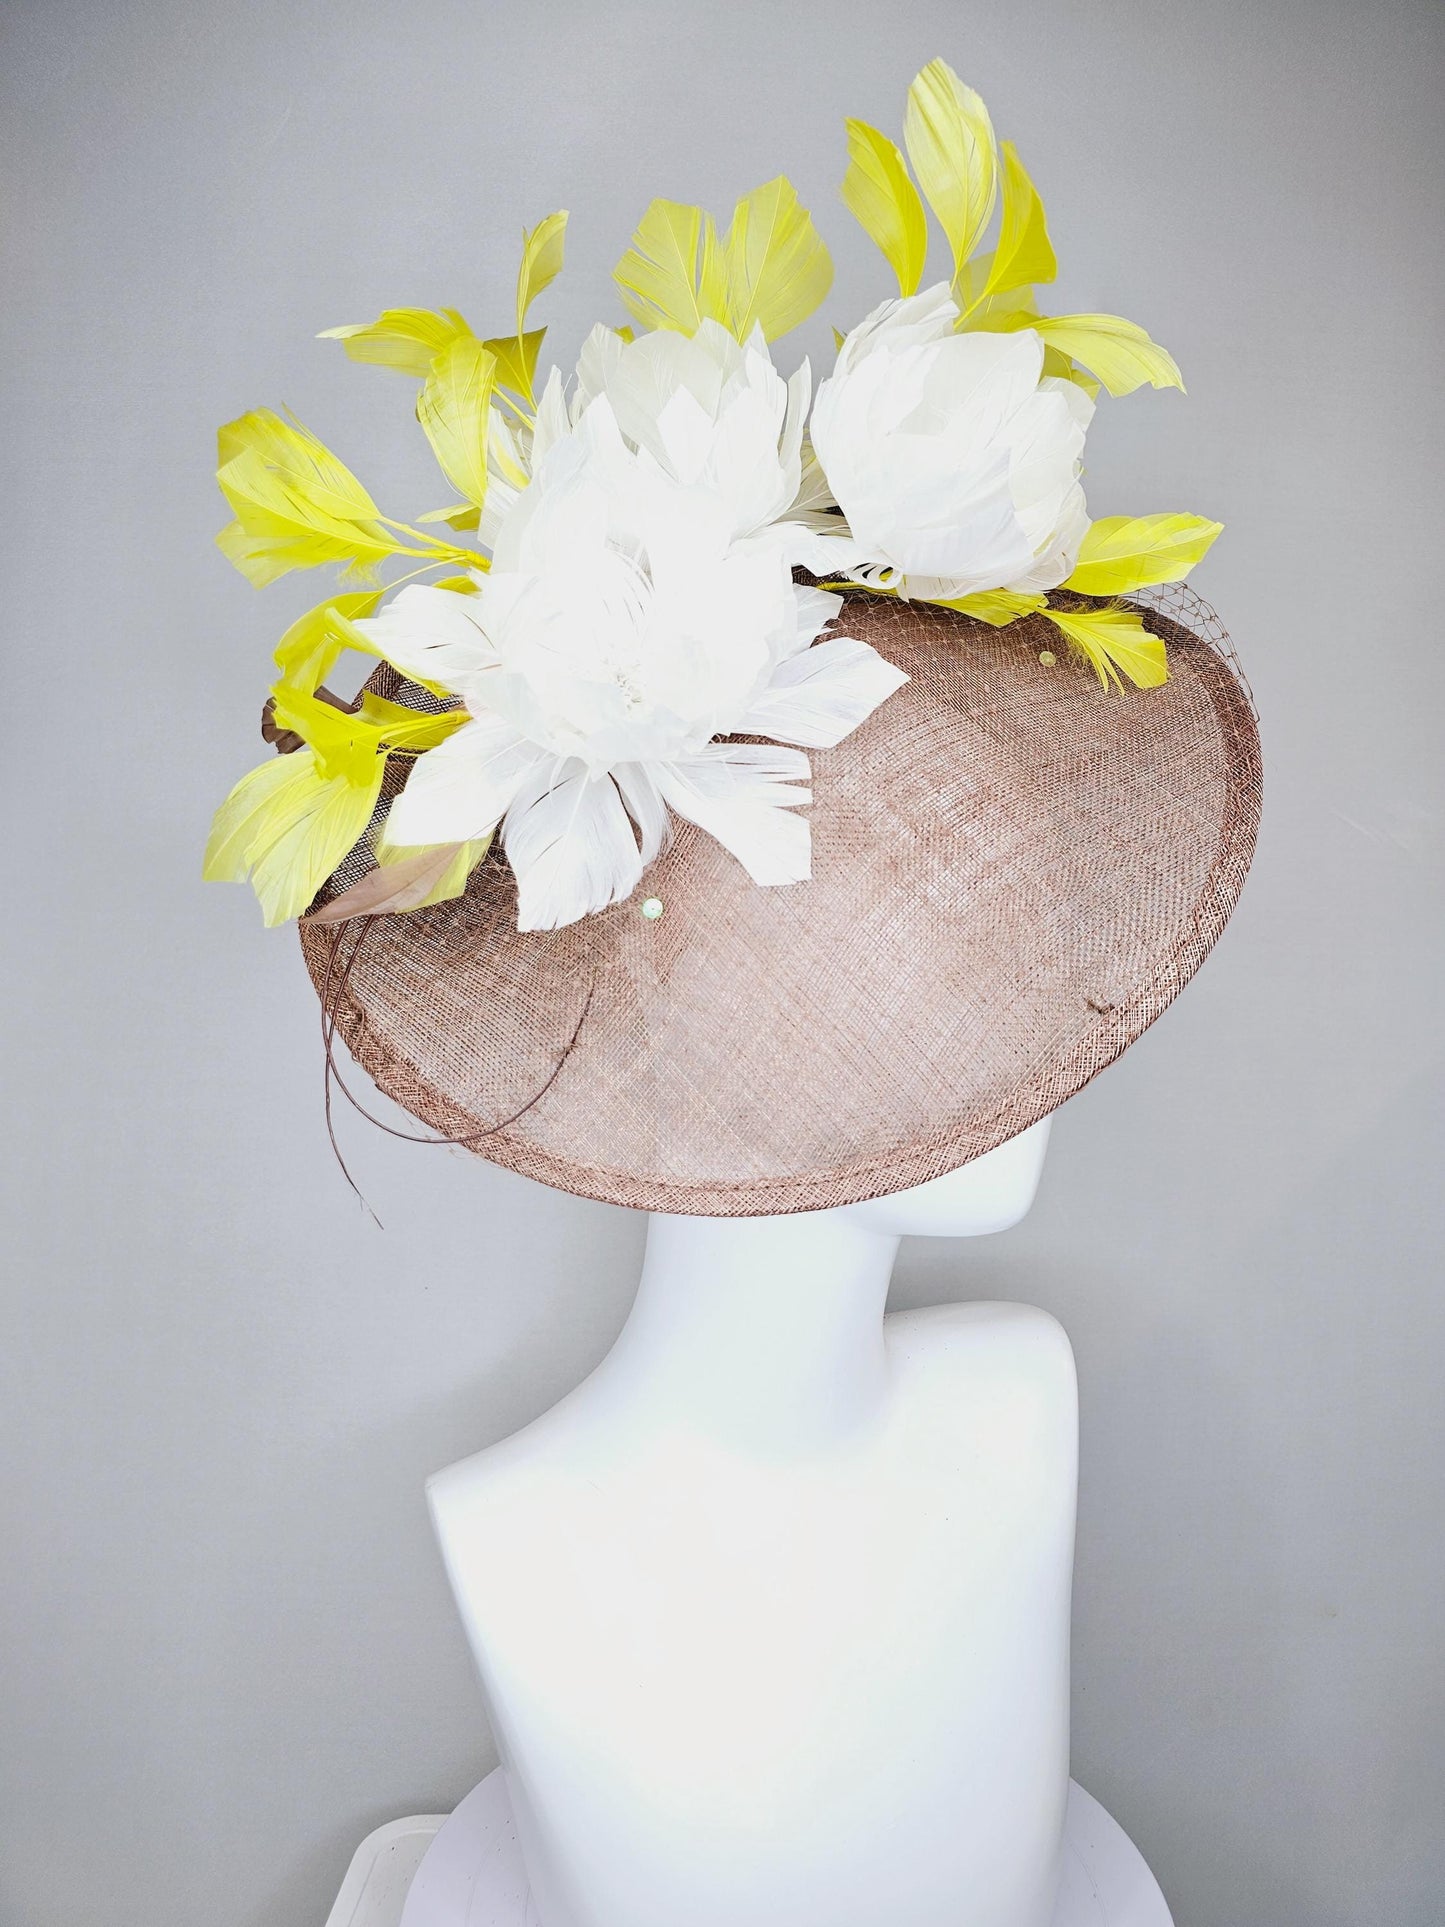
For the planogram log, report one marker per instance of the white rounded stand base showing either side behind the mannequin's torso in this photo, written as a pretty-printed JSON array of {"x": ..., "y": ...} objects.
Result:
[{"x": 467, "y": 1872}]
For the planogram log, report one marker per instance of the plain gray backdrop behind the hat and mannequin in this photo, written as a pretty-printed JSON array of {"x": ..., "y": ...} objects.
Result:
[{"x": 228, "y": 1647}]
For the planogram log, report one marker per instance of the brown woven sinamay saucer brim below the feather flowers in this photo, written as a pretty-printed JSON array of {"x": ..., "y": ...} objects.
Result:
[{"x": 1014, "y": 874}]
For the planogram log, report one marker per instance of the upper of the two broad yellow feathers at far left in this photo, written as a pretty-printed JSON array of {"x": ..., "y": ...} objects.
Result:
[{"x": 296, "y": 506}]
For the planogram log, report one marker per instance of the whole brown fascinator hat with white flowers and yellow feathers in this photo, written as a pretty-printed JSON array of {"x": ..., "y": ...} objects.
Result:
[{"x": 762, "y": 795}]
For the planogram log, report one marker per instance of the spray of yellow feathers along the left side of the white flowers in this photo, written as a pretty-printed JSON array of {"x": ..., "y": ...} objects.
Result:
[{"x": 294, "y": 820}]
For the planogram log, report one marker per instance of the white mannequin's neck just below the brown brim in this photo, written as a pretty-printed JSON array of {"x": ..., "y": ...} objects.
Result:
[{"x": 760, "y": 1333}]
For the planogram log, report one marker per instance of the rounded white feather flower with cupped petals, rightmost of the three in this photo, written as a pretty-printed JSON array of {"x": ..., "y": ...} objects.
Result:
[{"x": 953, "y": 458}]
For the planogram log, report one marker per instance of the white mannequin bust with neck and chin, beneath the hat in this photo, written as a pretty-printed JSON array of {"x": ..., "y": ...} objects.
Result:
[{"x": 774, "y": 1610}]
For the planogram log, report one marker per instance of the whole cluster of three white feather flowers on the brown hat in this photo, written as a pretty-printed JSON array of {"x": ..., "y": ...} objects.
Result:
[{"x": 641, "y": 604}]
